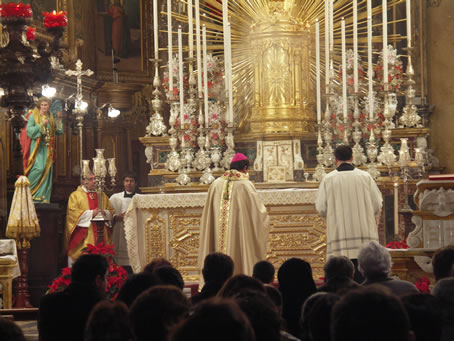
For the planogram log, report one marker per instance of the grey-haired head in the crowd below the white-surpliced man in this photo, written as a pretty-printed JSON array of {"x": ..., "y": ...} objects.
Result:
[{"x": 374, "y": 260}]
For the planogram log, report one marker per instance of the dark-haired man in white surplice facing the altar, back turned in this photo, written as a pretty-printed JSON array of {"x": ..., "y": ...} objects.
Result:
[{"x": 350, "y": 200}]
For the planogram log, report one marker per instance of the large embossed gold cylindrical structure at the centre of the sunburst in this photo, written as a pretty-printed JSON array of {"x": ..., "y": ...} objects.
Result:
[{"x": 283, "y": 98}]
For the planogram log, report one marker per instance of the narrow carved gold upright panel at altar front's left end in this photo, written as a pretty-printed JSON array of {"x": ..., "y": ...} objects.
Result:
[{"x": 155, "y": 239}]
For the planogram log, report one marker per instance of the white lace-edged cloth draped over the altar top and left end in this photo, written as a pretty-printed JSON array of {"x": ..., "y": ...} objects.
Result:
[{"x": 138, "y": 213}]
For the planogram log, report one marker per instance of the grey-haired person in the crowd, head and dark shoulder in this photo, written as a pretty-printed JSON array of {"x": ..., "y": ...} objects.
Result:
[{"x": 374, "y": 262}]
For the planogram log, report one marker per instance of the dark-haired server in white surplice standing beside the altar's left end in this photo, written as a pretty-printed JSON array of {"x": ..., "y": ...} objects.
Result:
[{"x": 120, "y": 202}]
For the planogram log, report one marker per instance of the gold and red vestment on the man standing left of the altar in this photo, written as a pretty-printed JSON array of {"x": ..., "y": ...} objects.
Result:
[{"x": 78, "y": 236}]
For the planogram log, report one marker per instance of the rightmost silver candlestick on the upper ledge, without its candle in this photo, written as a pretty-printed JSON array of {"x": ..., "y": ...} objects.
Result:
[{"x": 410, "y": 117}]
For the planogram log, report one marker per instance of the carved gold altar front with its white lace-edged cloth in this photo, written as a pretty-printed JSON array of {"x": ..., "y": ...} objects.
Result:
[{"x": 168, "y": 225}]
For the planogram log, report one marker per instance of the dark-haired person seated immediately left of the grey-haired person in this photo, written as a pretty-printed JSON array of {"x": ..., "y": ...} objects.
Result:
[{"x": 339, "y": 272}]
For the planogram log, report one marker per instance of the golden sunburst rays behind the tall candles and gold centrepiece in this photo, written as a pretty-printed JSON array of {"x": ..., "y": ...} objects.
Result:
[{"x": 243, "y": 14}]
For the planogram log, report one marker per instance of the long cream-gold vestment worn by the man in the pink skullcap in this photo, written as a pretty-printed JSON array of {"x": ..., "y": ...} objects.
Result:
[{"x": 235, "y": 222}]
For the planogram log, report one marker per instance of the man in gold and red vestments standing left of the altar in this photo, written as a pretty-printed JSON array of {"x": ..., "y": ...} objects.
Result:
[{"x": 83, "y": 206}]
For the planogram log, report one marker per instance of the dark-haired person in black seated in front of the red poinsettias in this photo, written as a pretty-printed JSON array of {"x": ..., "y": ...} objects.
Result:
[{"x": 62, "y": 315}]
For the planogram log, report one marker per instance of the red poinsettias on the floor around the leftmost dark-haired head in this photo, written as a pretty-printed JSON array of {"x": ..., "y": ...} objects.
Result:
[{"x": 116, "y": 275}]
